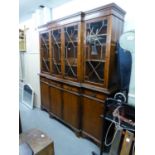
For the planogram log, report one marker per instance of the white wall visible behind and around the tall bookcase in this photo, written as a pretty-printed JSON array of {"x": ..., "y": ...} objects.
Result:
[{"x": 32, "y": 55}]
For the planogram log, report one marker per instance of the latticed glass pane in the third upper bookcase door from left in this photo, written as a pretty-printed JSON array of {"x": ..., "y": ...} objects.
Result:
[{"x": 71, "y": 34}]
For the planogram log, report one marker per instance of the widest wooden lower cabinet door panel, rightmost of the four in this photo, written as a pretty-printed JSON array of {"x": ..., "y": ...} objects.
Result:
[{"x": 91, "y": 120}]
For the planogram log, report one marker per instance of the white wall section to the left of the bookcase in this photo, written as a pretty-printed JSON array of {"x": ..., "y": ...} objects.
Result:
[{"x": 30, "y": 63}]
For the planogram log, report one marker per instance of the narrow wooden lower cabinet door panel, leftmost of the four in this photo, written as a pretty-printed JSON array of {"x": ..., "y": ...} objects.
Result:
[{"x": 44, "y": 95}]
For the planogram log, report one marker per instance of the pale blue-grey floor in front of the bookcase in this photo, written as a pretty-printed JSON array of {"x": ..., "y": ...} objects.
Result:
[{"x": 65, "y": 141}]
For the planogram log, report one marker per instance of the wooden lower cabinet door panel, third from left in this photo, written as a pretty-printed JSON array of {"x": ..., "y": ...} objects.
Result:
[{"x": 71, "y": 109}]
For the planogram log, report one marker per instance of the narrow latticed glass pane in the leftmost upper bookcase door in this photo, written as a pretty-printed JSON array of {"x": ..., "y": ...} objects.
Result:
[{"x": 45, "y": 52}]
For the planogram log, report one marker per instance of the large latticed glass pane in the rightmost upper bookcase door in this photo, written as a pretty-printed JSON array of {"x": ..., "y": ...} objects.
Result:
[{"x": 96, "y": 37}]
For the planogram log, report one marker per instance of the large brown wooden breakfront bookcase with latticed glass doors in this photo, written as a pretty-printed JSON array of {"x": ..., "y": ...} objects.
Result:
[{"x": 78, "y": 66}]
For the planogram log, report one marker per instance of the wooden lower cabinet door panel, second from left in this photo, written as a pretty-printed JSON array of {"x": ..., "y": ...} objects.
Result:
[{"x": 56, "y": 102}]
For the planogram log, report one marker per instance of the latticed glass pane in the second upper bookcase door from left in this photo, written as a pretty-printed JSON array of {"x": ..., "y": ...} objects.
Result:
[{"x": 56, "y": 51}]
